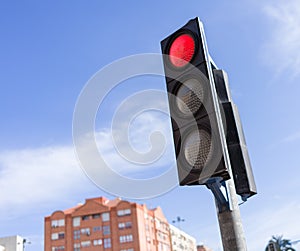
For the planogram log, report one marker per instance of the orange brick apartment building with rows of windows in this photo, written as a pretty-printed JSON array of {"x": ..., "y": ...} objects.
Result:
[{"x": 107, "y": 225}]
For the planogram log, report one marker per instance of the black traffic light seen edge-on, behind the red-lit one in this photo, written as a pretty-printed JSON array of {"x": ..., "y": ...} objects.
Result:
[{"x": 236, "y": 144}]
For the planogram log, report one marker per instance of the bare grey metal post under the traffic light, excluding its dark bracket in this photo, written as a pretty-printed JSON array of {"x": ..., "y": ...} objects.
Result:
[{"x": 230, "y": 223}]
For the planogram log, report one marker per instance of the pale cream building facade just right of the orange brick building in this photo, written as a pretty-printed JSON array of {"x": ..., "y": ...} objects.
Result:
[{"x": 181, "y": 241}]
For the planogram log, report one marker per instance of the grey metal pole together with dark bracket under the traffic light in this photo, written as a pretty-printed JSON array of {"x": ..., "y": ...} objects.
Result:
[{"x": 229, "y": 218}]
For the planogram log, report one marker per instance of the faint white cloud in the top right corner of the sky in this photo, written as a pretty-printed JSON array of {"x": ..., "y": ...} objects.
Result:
[{"x": 281, "y": 49}]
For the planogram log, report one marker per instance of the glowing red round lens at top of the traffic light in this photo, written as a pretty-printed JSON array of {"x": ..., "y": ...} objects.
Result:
[{"x": 182, "y": 50}]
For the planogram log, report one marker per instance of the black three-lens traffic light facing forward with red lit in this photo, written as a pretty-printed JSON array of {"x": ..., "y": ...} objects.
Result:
[{"x": 198, "y": 133}]
